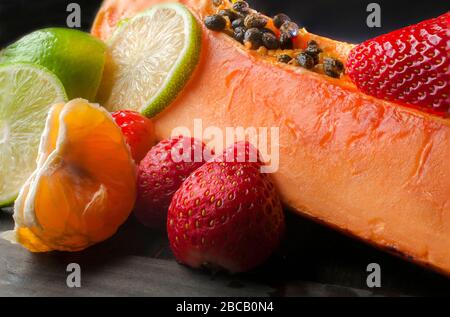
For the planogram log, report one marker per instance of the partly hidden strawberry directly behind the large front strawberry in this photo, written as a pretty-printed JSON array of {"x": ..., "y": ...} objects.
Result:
[{"x": 161, "y": 173}]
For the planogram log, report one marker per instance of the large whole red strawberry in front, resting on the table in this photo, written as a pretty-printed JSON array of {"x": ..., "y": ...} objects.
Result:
[{"x": 225, "y": 215}]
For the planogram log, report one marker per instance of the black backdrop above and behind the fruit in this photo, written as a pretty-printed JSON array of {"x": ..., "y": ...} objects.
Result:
[{"x": 340, "y": 19}]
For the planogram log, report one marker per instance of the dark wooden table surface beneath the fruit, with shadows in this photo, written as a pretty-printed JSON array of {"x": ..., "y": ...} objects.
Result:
[{"x": 313, "y": 261}]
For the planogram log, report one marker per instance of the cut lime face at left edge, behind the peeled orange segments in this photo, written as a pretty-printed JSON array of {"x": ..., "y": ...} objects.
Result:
[{"x": 26, "y": 94}]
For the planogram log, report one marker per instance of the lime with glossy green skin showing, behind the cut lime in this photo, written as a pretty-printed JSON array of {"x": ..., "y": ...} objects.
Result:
[{"x": 75, "y": 57}]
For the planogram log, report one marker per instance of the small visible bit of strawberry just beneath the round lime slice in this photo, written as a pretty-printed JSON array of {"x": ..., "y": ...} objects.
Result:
[{"x": 138, "y": 131}]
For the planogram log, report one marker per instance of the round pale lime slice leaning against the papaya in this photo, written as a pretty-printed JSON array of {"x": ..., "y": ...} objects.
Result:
[{"x": 152, "y": 56}]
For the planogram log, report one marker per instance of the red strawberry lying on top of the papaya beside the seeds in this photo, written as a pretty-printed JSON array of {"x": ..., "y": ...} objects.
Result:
[{"x": 410, "y": 65}]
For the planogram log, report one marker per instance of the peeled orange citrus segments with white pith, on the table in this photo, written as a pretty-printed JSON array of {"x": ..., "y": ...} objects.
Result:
[{"x": 84, "y": 186}]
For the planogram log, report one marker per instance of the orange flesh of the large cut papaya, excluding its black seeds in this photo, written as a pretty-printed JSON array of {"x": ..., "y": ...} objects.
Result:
[{"x": 373, "y": 169}]
